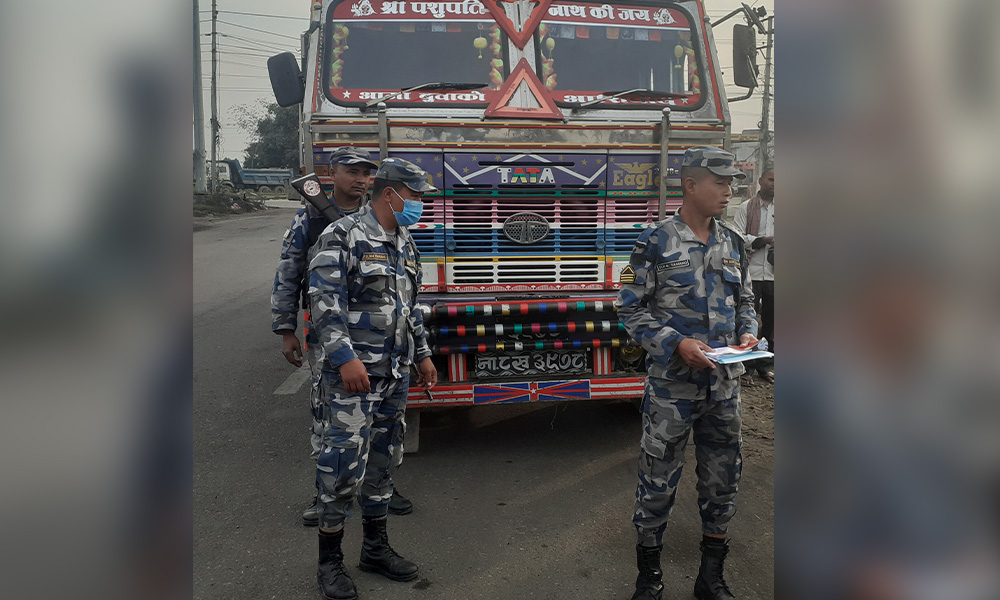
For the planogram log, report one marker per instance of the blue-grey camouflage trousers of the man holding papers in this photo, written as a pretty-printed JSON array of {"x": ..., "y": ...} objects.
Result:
[{"x": 667, "y": 424}]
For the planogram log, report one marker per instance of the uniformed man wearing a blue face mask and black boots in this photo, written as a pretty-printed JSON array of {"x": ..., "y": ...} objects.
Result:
[{"x": 364, "y": 278}]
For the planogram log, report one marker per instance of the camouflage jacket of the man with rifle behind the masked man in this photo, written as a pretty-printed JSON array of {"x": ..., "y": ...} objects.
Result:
[{"x": 291, "y": 281}]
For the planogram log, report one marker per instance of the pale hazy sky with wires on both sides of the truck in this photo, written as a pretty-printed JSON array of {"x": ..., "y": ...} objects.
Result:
[{"x": 246, "y": 41}]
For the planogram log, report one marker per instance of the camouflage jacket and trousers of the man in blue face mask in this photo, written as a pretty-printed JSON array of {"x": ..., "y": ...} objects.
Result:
[{"x": 363, "y": 284}]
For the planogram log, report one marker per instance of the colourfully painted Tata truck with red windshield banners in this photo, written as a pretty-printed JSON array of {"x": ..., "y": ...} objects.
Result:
[{"x": 554, "y": 131}]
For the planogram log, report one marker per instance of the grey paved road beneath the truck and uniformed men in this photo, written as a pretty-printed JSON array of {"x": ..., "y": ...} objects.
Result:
[{"x": 512, "y": 502}]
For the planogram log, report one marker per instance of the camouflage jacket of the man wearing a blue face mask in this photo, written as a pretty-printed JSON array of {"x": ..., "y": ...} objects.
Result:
[{"x": 363, "y": 284}]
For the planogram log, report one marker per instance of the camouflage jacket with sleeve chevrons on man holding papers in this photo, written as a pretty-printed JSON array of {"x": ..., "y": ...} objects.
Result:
[{"x": 677, "y": 286}]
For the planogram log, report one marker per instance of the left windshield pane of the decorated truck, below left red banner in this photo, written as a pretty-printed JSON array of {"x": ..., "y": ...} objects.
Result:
[{"x": 381, "y": 47}]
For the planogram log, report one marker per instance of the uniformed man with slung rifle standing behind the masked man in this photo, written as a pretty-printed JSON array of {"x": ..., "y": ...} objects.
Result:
[{"x": 351, "y": 171}]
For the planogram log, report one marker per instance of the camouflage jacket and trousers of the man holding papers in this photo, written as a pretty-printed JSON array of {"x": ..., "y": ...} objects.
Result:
[{"x": 684, "y": 287}]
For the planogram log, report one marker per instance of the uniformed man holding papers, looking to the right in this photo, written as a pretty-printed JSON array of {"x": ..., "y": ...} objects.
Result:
[{"x": 686, "y": 290}]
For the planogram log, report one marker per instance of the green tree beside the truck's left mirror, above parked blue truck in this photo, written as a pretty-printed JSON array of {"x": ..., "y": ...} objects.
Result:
[{"x": 274, "y": 134}]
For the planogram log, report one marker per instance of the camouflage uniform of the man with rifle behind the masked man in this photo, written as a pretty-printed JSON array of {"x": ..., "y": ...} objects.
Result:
[{"x": 291, "y": 287}]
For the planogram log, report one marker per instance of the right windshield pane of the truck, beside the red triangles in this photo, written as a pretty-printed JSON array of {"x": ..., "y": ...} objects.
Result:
[{"x": 585, "y": 49}]
